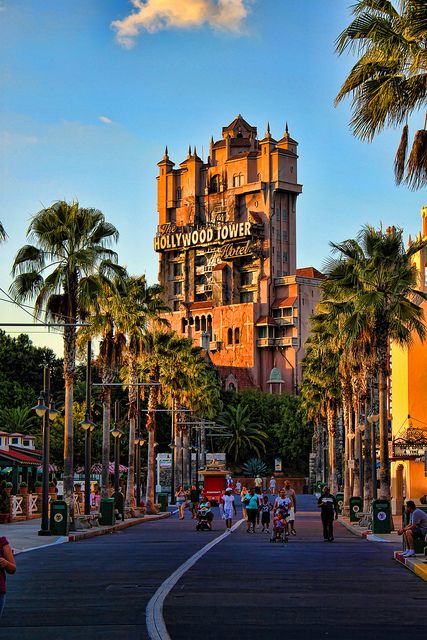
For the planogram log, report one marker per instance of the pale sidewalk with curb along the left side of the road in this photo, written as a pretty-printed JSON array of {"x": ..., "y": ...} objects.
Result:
[{"x": 23, "y": 536}]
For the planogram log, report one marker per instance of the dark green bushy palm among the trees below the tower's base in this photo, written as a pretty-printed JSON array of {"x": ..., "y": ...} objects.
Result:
[{"x": 246, "y": 435}]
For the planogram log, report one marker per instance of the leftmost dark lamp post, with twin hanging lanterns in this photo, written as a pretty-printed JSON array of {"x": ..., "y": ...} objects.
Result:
[{"x": 45, "y": 409}]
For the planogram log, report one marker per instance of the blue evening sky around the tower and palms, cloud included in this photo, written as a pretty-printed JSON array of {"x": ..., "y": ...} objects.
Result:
[{"x": 91, "y": 91}]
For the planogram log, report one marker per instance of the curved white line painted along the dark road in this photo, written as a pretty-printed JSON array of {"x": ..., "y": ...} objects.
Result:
[{"x": 156, "y": 626}]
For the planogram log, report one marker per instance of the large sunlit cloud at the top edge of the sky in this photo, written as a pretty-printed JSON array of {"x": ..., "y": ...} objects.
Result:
[{"x": 154, "y": 15}]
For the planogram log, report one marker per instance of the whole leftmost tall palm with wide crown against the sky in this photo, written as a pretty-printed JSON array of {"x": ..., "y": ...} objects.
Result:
[{"x": 60, "y": 272}]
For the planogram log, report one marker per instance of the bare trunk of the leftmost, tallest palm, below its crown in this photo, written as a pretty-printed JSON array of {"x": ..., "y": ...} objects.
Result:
[{"x": 69, "y": 371}]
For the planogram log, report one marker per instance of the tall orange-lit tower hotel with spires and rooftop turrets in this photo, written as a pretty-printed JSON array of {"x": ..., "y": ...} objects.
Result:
[{"x": 227, "y": 257}]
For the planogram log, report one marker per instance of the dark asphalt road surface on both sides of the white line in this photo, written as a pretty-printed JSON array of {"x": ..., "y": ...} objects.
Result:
[{"x": 243, "y": 588}]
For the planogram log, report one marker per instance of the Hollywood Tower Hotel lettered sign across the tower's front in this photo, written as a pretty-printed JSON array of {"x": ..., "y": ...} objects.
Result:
[{"x": 235, "y": 236}]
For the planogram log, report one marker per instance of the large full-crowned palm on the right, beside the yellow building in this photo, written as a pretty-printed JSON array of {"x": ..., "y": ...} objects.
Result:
[{"x": 376, "y": 276}]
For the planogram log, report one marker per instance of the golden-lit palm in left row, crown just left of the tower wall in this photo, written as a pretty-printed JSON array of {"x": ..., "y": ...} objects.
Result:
[{"x": 135, "y": 308}]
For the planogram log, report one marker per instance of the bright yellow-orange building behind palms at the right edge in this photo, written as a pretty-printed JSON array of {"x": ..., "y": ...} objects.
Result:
[{"x": 409, "y": 406}]
